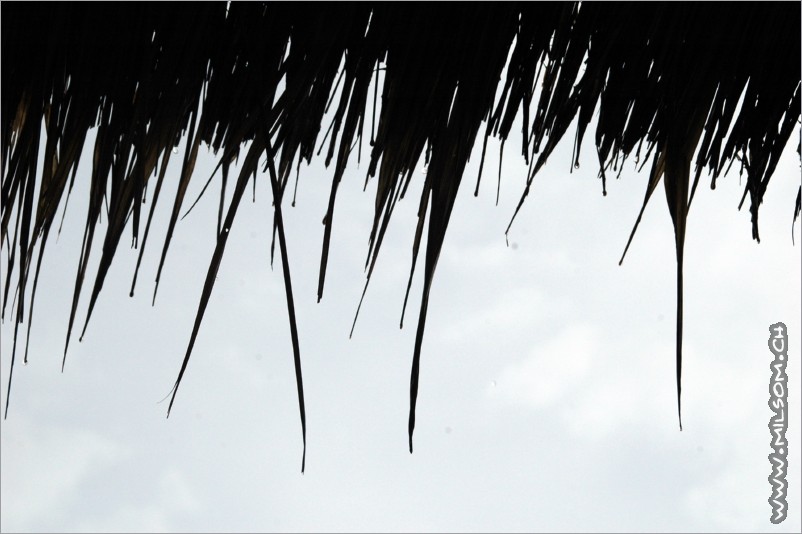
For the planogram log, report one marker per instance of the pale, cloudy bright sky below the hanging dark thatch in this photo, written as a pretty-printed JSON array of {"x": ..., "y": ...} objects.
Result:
[{"x": 547, "y": 397}]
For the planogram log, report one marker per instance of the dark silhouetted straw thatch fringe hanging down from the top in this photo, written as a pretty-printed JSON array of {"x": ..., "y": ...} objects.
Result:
[{"x": 664, "y": 79}]
